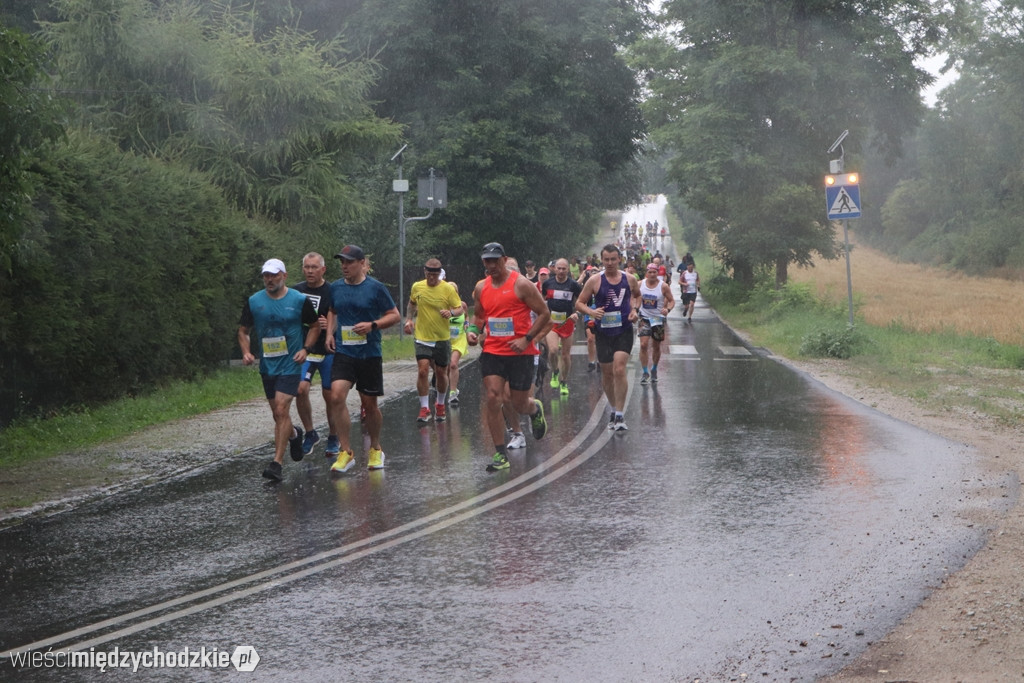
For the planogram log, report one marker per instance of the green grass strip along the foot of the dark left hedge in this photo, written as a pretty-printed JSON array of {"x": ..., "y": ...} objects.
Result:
[{"x": 83, "y": 428}]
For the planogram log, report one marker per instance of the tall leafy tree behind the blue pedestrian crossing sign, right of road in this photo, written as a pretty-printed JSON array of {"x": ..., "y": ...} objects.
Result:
[{"x": 750, "y": 95}]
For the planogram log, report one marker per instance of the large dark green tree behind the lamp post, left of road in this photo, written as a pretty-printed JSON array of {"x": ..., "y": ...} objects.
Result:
[{"x": 527, "y": 106}]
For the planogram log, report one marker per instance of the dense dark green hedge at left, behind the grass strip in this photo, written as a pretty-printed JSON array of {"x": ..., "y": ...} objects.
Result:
[{"x": 130, "y": 272}]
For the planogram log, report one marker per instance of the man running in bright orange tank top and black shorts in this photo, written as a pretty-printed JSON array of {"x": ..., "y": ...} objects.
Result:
[{"x": 503, "y": 303}]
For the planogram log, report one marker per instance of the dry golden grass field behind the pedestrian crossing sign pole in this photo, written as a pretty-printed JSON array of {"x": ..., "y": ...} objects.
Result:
[{"x": 922, "y": 298}]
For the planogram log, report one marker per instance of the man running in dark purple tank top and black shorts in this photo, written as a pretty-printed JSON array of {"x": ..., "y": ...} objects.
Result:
[{"x": 618, "y": 296}]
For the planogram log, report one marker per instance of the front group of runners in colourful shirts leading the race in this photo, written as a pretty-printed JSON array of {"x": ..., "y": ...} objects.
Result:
[{"x": 334, "y": 329}]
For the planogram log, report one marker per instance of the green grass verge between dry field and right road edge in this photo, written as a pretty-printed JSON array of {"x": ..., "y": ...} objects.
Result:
[{"x": 944, "y": 372}]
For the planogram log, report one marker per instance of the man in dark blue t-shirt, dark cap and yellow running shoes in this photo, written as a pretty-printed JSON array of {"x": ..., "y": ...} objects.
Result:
[{"x": 361, "y": 308}]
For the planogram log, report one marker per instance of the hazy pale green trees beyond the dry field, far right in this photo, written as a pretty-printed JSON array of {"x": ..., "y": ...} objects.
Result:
[{"x": 963, "y": 205}]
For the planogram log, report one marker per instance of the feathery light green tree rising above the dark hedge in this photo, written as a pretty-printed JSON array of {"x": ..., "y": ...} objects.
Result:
[{"x": 279, "y": 119}]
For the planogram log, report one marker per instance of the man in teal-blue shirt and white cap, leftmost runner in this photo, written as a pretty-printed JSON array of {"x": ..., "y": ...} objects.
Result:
[{"x": 278, "y": 317}]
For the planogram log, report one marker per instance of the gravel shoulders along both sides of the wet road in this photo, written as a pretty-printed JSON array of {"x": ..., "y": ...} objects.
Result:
[{"x": 970, "y": 629}]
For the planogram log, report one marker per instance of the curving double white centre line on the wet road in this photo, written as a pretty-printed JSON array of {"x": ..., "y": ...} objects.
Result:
[{"x": 294, "y": 571}]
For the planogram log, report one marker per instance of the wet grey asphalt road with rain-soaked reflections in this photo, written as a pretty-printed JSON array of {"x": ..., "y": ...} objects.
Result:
[{"x": 749, "y": 524}]
